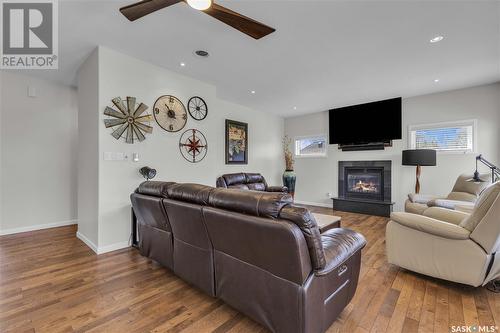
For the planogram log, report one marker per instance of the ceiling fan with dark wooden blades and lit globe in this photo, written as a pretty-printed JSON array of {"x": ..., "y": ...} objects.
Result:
[{"x": 244, "y": 24}]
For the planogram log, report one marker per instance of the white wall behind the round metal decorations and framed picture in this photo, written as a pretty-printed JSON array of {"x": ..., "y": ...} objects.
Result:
[{"x": 121, "y": 75}]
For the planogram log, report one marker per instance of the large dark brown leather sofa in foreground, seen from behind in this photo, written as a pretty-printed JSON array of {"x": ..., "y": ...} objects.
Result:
[{"x": 255, "y": 250}]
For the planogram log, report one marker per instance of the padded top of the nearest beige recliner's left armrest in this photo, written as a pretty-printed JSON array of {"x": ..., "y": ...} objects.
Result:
[{"x": 430, "y": 225}]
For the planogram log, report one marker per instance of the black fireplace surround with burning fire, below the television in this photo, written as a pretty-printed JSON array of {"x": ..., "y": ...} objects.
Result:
[{"x": 364, "y": 187}]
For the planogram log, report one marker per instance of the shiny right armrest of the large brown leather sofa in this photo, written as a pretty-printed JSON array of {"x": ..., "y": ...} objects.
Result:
[{"x": 339, "y": 245}]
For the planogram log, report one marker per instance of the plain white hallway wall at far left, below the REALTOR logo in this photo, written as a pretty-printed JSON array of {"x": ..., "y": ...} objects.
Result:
[{"x": 38, "y": 154}]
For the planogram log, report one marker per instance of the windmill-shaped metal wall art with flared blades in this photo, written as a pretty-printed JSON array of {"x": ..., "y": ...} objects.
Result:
[{"x": 130, "y": 121}]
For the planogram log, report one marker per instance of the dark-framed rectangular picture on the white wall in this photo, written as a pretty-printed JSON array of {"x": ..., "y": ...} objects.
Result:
[{"x": 236, "y": 142}]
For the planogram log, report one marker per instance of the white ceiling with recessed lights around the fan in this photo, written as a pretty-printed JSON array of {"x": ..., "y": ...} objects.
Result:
[{"x": 324, "y": 54}]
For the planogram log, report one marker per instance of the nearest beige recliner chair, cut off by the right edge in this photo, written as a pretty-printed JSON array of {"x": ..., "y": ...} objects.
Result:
[{"x": 448, "y": 244}]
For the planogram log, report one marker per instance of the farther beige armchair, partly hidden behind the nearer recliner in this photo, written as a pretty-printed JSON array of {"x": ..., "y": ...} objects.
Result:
[{"x": 462, "y": 197}]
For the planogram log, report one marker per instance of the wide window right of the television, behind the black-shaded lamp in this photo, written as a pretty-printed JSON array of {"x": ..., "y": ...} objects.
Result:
[{"x": 446, "y": 137}]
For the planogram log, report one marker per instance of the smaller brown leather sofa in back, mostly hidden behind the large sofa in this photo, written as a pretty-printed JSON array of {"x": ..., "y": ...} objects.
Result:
[{"x": 248, "y": 181}]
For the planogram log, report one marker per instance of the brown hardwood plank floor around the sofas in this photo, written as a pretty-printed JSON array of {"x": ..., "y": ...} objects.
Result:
[{"x": 51, "y": 282}]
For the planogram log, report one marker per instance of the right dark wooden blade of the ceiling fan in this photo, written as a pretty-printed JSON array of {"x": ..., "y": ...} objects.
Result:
[{"x": 242, "y": 23}]
